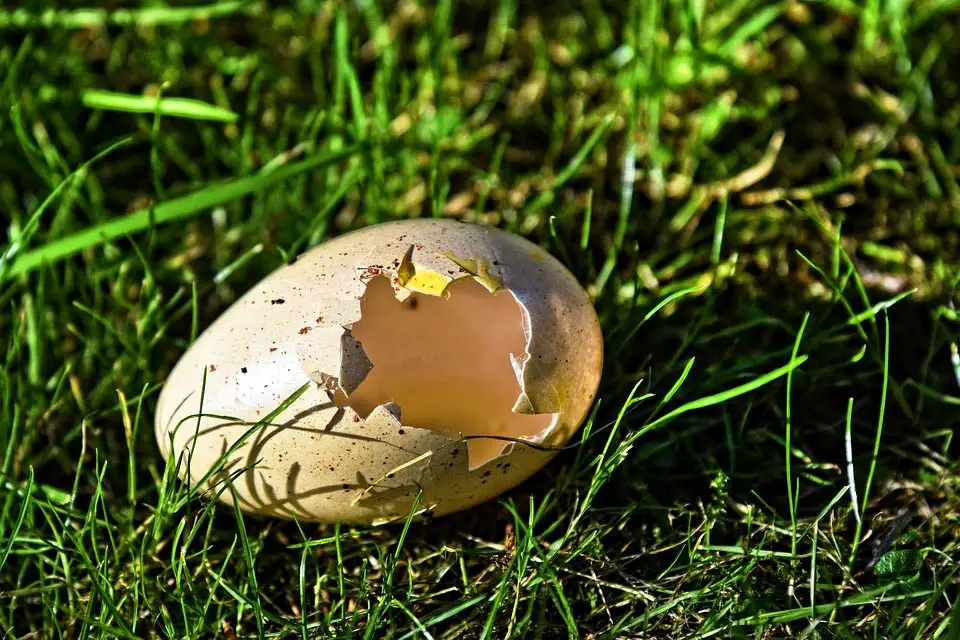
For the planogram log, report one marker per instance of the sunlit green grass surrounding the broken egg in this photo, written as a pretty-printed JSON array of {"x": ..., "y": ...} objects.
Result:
[{"x": 762, "y": 198}]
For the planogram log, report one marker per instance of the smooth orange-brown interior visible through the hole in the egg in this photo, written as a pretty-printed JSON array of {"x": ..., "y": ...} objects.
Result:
[{"x": 445, "y": 361}]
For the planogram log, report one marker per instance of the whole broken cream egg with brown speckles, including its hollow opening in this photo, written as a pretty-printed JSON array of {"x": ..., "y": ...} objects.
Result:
[{"x": 422, "y": 362}]
